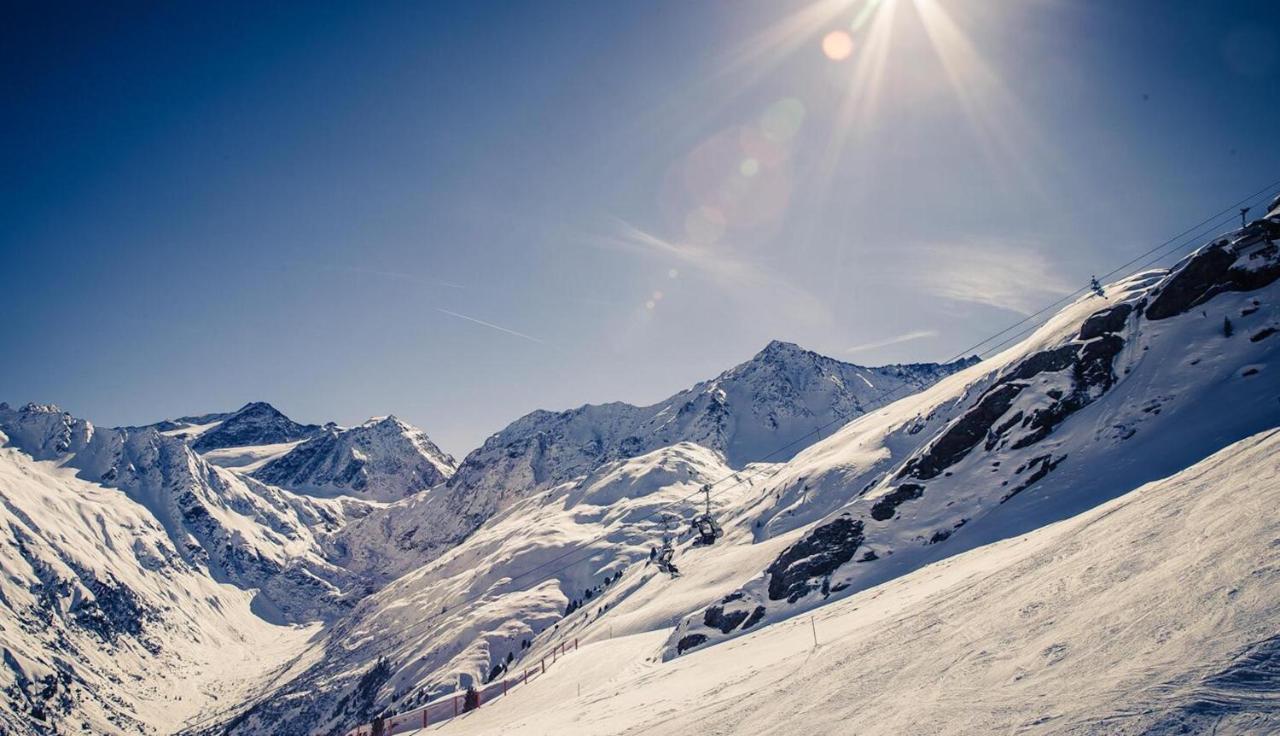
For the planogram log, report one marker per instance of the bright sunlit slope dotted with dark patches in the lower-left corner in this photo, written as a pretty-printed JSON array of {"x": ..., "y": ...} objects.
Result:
[{"x": 108, "y": 628}]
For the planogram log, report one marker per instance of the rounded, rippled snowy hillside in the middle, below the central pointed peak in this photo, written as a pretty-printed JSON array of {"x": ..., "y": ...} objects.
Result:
[{"x": 458, "y": 619}]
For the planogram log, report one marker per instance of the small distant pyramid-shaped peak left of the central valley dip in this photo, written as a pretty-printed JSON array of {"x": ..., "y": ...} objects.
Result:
[{"x": 381, "y": 460}]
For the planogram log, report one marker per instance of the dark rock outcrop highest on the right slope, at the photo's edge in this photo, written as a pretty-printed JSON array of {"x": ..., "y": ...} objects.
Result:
[{"x": 1209, "y": 275}]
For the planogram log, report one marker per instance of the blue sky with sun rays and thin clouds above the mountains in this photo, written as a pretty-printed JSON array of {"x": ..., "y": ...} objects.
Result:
[{"x": 459, "y": 213}]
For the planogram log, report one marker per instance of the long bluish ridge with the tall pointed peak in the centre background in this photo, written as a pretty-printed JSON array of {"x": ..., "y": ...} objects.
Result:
[{"x": 778, "y": 400}]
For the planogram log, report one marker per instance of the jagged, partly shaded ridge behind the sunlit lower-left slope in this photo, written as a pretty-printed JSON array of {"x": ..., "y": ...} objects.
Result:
[{"x": 236, "y": 529}]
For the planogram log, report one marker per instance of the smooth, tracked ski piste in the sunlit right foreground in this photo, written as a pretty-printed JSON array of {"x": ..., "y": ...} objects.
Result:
[{"x": 1153, "y": 614}]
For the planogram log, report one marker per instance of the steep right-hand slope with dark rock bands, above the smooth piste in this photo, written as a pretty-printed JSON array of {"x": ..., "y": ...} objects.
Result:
[{"x": 1113, "y": 392}]
